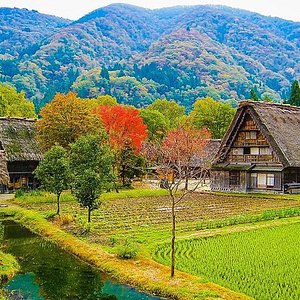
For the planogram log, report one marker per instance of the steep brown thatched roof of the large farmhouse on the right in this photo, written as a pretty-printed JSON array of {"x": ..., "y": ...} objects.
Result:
[{"x": 280, "y": 123}]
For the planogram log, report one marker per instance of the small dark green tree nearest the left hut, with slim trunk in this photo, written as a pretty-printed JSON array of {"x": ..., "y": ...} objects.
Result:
[{"x": 54, "y": 172}]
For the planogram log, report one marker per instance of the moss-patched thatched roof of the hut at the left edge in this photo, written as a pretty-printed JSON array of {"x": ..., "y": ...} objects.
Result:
[{"x": 17, "y": 139}]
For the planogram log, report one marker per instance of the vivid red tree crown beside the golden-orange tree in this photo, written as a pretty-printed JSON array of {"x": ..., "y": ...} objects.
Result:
[{"x": 123, "y": 125}]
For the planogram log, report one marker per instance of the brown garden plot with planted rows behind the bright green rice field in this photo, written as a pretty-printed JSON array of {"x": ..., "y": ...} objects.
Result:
[{"x": 148, "y": 220}]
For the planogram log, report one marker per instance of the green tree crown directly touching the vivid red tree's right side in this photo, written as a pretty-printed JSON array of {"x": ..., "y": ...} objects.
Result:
[{"x": 157, "y": 124}]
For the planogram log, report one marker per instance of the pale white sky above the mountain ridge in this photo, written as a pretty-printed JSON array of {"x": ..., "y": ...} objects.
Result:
[{"x": 74, "y": 9}]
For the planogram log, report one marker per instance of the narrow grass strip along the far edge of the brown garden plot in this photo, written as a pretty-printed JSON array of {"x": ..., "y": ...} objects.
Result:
[{"x": 46, "y": 197}]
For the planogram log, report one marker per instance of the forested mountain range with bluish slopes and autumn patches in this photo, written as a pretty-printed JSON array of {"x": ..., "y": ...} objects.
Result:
[{"x": 138, "y": 55}]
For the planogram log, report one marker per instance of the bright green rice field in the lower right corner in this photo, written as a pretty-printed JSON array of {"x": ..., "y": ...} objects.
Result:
[{"x": 264, "y": 263}]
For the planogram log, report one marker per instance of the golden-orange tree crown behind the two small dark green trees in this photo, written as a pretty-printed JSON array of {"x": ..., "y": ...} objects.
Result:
[{"x": 64, "y": 119}]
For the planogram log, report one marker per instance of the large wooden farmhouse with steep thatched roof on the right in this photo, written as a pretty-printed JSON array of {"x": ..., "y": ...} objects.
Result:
[{"x": 261, "y": 149}]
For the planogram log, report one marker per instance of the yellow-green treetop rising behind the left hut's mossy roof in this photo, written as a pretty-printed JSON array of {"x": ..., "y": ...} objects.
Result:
[{"x": 14, "y": 104}]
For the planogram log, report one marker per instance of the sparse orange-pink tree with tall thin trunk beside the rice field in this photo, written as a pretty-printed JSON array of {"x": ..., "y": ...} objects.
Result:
[{"x": 183, "y": 153}]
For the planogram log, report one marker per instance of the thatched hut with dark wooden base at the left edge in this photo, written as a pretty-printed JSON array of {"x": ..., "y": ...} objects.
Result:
[{"x": 20, "y": 152}]
